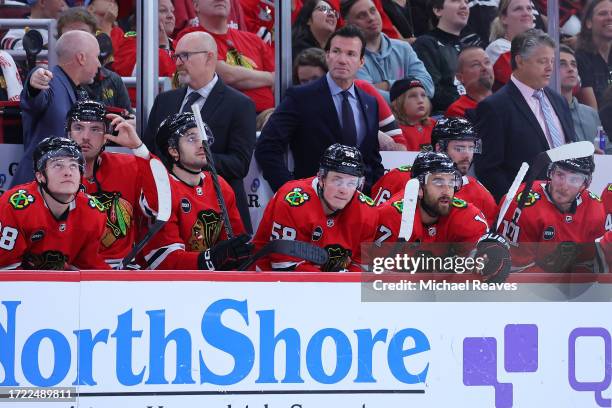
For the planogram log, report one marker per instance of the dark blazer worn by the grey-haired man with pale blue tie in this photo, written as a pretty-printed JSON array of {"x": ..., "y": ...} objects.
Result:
[{"x": 511, "y": 135}]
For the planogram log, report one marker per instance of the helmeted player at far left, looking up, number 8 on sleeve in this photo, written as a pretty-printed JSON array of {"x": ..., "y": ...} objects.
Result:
[{"x": 49, "y": 223}]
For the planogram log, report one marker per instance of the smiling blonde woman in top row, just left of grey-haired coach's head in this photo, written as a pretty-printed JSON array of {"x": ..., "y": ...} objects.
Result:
[{"x": 514, "y": 17}]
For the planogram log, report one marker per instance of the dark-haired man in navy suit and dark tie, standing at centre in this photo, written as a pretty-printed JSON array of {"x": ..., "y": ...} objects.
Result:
[{"x": 314, "y": 116}]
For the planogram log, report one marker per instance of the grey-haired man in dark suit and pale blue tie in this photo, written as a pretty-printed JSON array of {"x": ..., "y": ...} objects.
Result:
[{"x": 524, "y": 117}]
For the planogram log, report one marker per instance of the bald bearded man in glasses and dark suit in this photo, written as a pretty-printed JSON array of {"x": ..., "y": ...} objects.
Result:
[{"x": 229, "y": 113}]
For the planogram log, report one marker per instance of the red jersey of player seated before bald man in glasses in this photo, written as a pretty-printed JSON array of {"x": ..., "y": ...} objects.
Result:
[{"x": 196, "y": 223}]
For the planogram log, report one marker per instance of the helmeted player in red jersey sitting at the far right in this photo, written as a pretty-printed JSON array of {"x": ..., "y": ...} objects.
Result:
[{"x": 561, "y": 219}]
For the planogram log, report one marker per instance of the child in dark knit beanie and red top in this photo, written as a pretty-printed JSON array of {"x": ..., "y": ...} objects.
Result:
[{"x": 412, "y": 107}]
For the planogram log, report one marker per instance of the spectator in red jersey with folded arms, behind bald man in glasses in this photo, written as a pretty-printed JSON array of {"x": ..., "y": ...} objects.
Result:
[{"x": 245, "y": 61}]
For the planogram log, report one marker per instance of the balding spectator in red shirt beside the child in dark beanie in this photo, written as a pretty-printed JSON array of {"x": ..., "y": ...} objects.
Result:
[{"x": 475, "y": 72}]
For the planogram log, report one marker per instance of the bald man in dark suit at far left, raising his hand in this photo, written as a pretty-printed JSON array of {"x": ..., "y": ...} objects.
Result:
[{"x": 48, "y": 95}]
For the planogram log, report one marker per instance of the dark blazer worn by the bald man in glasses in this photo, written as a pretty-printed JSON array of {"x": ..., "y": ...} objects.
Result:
[{"x": 231, "y": 117}]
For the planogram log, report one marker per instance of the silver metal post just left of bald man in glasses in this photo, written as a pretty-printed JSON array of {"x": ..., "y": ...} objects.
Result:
[{"x": 147, "y": 60}]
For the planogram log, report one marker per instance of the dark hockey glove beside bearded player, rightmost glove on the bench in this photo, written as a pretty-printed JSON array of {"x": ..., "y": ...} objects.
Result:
[{"x": 496, "y": 251}]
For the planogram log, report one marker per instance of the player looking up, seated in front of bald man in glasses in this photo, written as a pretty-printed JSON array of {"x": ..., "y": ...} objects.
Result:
[{"x": 194, "y": 237}]
